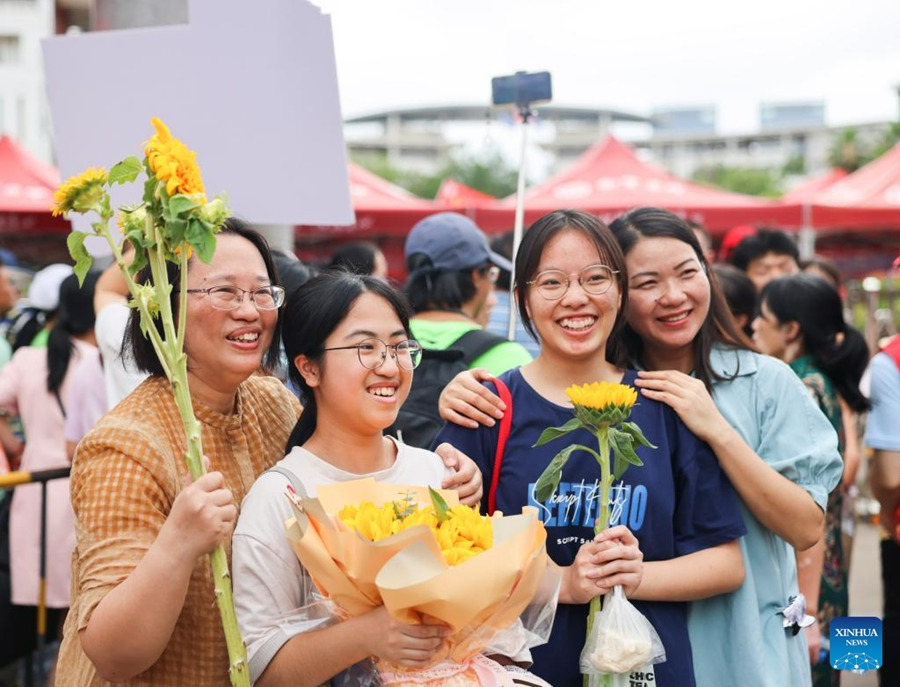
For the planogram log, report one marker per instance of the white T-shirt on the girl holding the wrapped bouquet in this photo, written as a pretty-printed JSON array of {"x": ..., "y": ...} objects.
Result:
[{"x": 269, "y": 582}]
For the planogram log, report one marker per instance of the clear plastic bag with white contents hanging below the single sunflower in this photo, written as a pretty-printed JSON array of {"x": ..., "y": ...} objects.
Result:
[{"x": 621, "y": 639}]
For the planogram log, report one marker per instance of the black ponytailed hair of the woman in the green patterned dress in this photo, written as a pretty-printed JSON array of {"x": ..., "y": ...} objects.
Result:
[{"x": 837, "y": 349}]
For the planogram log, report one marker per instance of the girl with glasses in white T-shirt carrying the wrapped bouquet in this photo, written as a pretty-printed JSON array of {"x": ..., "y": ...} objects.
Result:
[{"x": 348, "y": 339}]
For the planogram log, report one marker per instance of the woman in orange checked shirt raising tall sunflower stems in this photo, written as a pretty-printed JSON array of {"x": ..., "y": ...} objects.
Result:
[{"x": 143, "y": 608}]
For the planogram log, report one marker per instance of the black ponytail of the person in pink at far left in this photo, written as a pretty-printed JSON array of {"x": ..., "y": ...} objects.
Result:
[{"x": 75, "y": 316}]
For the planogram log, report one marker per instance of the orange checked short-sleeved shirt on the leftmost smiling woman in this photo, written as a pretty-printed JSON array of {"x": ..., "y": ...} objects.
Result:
[{"x": 125, "y": 475}]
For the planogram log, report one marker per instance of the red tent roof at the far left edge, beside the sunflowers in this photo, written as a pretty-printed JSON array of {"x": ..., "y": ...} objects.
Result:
[{"x": 26, "y": 183}]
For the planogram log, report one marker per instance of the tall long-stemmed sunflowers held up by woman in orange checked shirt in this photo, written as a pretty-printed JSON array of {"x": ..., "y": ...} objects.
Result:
[{"x": 173, "y": 220}]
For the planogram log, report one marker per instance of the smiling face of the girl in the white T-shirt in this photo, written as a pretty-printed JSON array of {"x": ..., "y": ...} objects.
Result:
[{"x": 346, "y": 392}]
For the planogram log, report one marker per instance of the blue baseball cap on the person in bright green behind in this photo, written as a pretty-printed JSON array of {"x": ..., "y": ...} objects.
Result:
[{"x": 453, "y": 242}]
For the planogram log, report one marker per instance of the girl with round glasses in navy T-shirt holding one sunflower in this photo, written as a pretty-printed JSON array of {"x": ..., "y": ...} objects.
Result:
[{"x": 679, "y": 505}]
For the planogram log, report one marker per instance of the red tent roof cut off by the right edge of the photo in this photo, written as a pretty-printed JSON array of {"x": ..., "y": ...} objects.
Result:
[{"x": 870, "y": 197}]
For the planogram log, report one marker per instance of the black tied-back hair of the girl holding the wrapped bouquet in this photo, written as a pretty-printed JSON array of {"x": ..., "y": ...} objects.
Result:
[{"x": 313, "y": 312}]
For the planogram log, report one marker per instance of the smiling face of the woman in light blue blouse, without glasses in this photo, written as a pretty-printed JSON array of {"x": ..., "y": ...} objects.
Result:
[{"x": 668, "y": 299}]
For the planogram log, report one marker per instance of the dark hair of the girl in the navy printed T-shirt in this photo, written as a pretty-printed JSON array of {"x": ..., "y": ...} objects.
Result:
[{"x": 539, "y": 234}]
